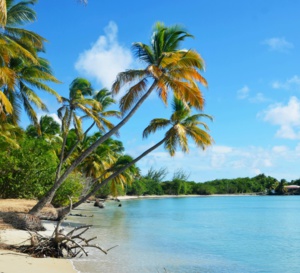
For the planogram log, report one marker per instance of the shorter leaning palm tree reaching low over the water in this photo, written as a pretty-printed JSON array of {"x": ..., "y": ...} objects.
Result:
[{"x": 183, "y": 126}]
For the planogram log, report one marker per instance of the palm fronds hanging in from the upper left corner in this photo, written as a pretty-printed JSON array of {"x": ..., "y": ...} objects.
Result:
[{"x": 21, "y": 69}]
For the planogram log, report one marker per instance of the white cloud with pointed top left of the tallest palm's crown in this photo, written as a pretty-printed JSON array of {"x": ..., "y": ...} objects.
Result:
[{"x": 106, "y": 58}]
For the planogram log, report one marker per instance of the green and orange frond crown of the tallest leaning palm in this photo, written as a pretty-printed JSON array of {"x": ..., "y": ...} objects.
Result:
[{"x": 169, "y": 68}]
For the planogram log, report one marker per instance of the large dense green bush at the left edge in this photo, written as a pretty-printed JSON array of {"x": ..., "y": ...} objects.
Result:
[{"x": 29, "y": 171}]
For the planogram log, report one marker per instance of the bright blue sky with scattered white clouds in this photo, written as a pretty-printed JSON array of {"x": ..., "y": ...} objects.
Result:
[{"x": 251, "y": 51}]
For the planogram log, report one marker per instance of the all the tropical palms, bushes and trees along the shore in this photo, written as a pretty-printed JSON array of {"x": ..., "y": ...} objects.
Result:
[{"x": 79, "y": 155}]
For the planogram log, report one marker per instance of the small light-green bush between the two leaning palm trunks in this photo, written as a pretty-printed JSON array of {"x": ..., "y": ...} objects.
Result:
[{"x": 72, "y": 187}]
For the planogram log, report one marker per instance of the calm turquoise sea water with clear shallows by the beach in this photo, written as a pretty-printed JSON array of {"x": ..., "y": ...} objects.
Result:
[{"x": 202, "y": 234}]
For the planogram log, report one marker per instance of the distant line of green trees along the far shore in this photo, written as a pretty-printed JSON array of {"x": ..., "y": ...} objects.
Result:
[{"x": 180, "y": 186}]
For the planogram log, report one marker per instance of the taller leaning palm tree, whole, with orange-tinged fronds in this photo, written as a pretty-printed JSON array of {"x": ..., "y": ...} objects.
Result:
[{"x": 168, "y": 69}]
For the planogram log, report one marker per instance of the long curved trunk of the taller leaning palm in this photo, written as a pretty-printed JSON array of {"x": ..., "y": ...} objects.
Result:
[{"x": 49, "y": 195}]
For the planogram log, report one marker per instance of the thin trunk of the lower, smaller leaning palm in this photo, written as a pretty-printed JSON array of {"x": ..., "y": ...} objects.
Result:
[{"x": 105, "y": 181}]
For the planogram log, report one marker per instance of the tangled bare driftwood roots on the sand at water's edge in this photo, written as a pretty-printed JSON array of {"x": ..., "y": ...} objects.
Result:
[{"x": 61, "y": 244}]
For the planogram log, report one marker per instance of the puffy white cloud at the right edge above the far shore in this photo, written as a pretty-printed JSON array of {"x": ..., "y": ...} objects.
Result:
[{"x": 287, "y": 117}]
